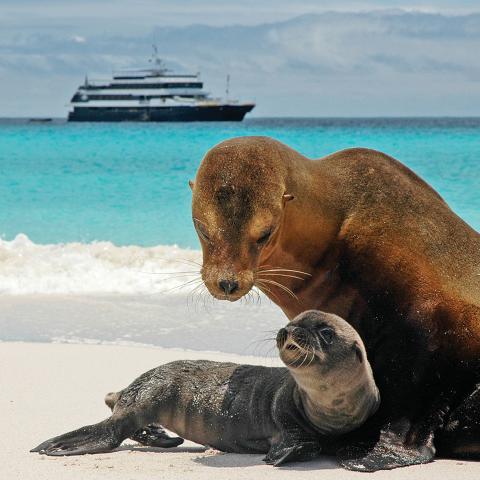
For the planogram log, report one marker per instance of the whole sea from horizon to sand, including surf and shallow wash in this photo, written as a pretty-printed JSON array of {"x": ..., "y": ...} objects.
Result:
[{"x": 64, "y": 186}]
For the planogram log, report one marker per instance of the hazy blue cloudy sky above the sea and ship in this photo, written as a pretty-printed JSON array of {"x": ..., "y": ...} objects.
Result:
[{"x": 302, "y": 58}]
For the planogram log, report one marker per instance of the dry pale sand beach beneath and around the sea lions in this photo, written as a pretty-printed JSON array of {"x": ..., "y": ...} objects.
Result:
[{"x": 48, "y": 389}]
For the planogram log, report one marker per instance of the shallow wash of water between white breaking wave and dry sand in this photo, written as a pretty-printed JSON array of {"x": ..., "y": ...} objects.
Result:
[{"x": 168, "y": 321}]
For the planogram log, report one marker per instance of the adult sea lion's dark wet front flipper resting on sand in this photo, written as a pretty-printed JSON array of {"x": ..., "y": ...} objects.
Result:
[{"x": 390, "y": 451}]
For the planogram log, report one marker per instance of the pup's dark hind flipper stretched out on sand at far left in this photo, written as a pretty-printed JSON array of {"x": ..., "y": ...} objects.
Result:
[{"x": 99, "y": 438}]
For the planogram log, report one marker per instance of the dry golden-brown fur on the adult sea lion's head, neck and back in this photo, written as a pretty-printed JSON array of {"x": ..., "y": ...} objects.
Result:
[{"x": 355, "y": 203}]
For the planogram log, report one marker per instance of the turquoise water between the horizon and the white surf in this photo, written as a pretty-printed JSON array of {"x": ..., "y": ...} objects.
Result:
[{"x": 128, "y": 183}]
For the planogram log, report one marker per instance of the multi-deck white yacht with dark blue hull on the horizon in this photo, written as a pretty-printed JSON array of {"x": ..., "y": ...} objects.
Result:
[{"x": 154, "y": 94}]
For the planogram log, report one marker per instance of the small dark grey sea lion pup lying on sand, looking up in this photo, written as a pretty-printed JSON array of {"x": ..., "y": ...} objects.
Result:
[{"x": 327, "y": 390}]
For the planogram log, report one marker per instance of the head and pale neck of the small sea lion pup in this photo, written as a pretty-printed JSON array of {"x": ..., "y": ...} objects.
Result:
[{"x": 326, "y": 357}]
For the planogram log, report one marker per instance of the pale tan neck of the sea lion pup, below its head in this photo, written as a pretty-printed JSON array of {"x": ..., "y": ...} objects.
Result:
[{"x": 337, "y": 404}]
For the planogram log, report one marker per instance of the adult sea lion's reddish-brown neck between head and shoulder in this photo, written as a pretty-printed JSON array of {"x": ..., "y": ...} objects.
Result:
[{"x": 308, "y": 242}]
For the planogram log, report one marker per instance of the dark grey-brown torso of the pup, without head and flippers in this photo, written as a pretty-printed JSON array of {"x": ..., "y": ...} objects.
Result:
[{"x": 226, "y": 406}]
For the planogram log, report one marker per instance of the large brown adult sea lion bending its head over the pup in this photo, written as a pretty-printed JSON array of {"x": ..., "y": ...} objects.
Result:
[{"x": 358, "y": 234}]
